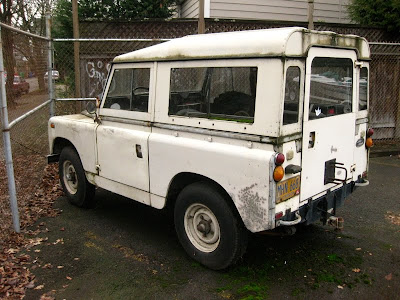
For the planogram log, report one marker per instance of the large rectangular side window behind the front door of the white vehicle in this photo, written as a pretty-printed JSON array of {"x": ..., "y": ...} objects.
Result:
[{"x": 226, "y": 93}]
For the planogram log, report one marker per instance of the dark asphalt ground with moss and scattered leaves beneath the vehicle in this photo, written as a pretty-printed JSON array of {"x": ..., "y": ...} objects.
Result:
[{"x": 125, "y": 250}]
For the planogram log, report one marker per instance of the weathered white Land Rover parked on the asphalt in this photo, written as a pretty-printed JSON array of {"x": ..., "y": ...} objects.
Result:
[{"x": 241, "y": 131}]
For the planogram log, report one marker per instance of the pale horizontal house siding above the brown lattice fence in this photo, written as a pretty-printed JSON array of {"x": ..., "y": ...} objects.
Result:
[{"x": 330, "y": 11}]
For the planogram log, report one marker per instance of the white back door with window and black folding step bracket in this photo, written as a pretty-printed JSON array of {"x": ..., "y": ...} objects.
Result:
[{"x": 329, "y": 121}]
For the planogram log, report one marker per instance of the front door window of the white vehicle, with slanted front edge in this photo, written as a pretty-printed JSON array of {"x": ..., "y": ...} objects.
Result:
[{"x": 129, "y": 90}]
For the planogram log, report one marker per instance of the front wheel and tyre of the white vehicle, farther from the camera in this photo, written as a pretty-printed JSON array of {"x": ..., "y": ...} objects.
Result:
[{"x": 73, "y": 179}]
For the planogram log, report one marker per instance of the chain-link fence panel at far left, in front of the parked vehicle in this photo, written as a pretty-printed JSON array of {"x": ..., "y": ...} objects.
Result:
[{"x": 25, "y": 112}]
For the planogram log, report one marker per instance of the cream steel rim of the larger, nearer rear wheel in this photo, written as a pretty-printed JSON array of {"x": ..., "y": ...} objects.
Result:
[{"x": 202, "y": 227}]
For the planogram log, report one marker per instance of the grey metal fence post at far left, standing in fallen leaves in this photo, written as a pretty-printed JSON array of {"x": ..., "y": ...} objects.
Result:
[{"x": 7, "y": 145}]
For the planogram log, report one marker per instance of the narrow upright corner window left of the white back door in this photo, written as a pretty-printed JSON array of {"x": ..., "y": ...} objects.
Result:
[{"x": 292, "y": 96}]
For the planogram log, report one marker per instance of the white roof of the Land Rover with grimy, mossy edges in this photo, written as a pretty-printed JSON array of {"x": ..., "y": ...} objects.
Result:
[{"x": 291, "y": 41}]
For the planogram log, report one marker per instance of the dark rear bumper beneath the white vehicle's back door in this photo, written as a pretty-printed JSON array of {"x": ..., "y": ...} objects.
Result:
[{"x": 322, "y": 208}]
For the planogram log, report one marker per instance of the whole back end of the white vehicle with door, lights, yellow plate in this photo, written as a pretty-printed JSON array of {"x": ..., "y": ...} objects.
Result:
[{"x": 329, "y": 159}]
